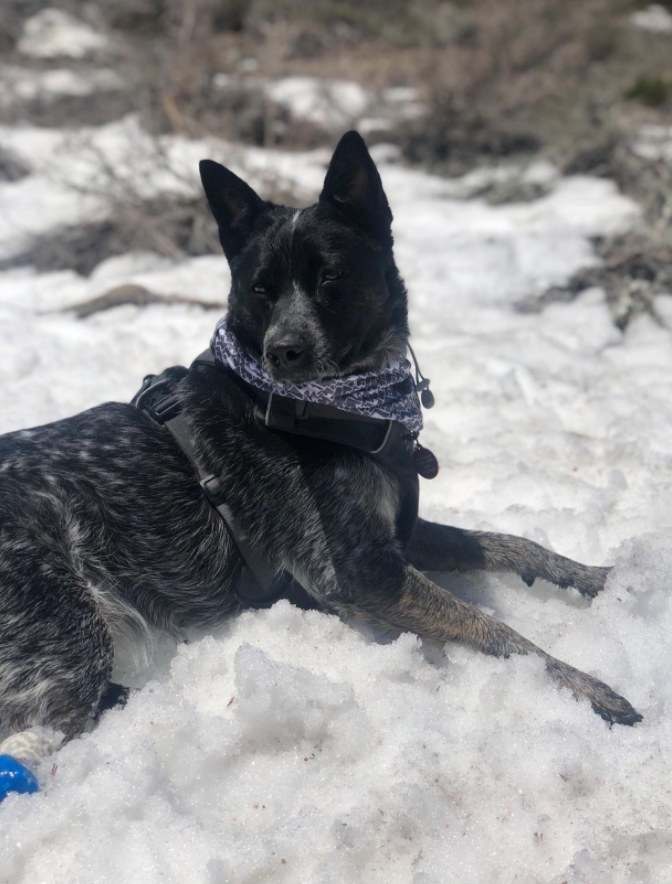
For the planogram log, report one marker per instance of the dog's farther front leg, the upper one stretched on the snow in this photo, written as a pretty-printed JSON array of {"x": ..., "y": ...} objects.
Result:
[{"x": 435, "y": 547}]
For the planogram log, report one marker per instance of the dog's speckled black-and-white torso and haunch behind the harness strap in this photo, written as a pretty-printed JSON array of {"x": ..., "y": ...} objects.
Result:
[{"x": 103, "y": 531}]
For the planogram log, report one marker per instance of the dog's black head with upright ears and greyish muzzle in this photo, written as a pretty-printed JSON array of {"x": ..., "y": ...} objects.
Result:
[{"x": 314, "y": 292}]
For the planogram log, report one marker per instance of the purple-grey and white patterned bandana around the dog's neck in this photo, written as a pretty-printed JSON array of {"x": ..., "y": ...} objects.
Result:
[{"x": 387, "y": 394}]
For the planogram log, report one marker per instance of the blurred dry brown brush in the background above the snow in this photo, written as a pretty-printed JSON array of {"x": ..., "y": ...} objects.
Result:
[{"x": 500, "y": 79}]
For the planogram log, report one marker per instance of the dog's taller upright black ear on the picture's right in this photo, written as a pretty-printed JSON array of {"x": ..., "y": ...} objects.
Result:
[{"x": 353, "y": 185}]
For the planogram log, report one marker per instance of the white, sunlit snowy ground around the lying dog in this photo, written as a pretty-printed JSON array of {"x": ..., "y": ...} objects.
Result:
[{"x": 292, "y": 747}]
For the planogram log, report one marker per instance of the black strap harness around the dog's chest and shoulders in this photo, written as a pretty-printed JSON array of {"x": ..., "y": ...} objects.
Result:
[{"x": 258, "y": 584}]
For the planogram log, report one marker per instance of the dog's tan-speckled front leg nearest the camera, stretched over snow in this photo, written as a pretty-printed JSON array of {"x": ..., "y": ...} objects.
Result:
[{"x": 430, "y": 611}]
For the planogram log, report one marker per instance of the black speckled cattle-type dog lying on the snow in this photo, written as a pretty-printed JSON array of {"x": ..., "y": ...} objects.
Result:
[{"x": 105, "y": 526}]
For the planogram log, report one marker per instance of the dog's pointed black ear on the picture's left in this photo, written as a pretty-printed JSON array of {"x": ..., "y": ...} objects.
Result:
[{"x": 233, "y": 203}]
